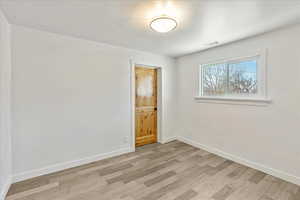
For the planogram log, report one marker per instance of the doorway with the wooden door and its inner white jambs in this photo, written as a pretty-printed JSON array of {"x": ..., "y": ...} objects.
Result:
[{"x": 146, "y": 104}]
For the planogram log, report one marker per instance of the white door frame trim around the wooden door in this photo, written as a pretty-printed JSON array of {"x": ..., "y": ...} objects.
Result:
[{"x": 133, "y": 64}]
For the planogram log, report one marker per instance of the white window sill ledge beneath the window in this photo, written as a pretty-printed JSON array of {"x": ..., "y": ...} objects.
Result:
[{"x": 233, "y": 100}]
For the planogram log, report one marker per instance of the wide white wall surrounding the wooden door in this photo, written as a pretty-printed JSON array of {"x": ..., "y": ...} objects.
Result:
[{"x": 71, "y": 99}]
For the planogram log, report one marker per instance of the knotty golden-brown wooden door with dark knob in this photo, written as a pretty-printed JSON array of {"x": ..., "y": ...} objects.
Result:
[{"x": 145, "y": 106}]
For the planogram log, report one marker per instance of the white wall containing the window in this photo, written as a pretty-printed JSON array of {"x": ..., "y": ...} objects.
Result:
[{"x": 267, "y": 137}]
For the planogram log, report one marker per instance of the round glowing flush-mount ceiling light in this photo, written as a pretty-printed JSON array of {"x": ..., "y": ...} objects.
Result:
[{"x": 163, "y": 24}]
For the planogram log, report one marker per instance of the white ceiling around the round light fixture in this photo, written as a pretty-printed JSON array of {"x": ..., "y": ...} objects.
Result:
[{"x": 126, "y": 22}]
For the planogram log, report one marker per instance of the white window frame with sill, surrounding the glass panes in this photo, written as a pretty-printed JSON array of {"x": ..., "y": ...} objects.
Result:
[{"x": 261, "y": 98}]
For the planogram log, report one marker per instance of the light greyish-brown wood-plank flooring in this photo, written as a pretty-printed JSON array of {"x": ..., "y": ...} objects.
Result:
[{"x": 172, "y": 171}]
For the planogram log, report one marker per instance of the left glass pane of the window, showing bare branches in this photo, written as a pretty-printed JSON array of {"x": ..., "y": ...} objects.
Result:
[{"x": 214, "y": 79}]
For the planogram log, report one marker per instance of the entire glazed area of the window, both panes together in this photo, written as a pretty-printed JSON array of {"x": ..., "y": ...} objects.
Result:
[{"x": 230, "y": 78}]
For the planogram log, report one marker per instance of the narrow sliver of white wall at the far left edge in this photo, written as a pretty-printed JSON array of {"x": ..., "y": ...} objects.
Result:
[{"x": 5, "y": 76}]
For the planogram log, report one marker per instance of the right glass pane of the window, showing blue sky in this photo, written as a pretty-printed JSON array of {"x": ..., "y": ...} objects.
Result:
[{"x": 242, "y": 78}]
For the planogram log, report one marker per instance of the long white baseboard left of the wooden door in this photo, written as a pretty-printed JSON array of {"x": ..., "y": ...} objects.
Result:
[{"x": 67, "y": 165}]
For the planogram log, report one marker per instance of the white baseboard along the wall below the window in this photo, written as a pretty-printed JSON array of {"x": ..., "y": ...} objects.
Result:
[{"x": 268, "y": 170}]
